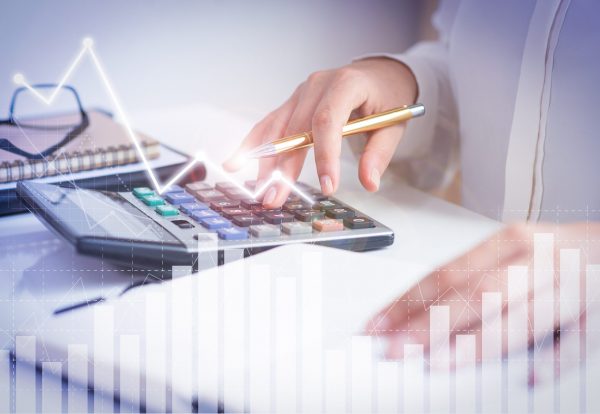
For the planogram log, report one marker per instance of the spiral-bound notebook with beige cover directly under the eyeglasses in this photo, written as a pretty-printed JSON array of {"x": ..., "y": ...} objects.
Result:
[{"x": 104, "y": 143}]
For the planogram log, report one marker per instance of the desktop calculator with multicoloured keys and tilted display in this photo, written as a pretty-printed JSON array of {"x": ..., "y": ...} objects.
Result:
[{"x": 144, "y": 229}]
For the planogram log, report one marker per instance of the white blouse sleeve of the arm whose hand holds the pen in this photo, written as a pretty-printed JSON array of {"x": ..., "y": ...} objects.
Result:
[{"x": 427, "y": 155}]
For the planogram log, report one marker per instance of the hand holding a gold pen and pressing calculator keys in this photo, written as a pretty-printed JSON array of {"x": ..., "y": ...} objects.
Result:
[{"x": 323, "y": 104}]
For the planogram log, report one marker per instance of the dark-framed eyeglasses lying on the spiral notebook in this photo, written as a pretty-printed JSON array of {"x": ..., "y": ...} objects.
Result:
[{"x": 74, "y": 123}]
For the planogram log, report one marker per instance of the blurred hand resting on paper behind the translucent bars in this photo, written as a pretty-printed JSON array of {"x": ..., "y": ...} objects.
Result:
[{"x": 460, "y": 284}]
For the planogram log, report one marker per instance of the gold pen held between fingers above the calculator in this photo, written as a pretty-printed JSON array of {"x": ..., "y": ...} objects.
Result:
[{"x": 356, "y": 126}]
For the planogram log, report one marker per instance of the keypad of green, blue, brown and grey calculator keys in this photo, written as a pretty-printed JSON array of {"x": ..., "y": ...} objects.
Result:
[{"x": 226, "y": 210}]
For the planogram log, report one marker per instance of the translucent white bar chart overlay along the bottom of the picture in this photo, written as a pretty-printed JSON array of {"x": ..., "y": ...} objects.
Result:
[{"x": 259, "y": 343}]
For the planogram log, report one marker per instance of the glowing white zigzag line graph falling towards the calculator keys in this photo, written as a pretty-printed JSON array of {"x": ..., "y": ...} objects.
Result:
[{"x": 87, "y": 49}]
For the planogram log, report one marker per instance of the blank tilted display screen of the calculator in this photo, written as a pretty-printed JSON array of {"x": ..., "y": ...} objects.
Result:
[{"x": 105, "y": 215}]
